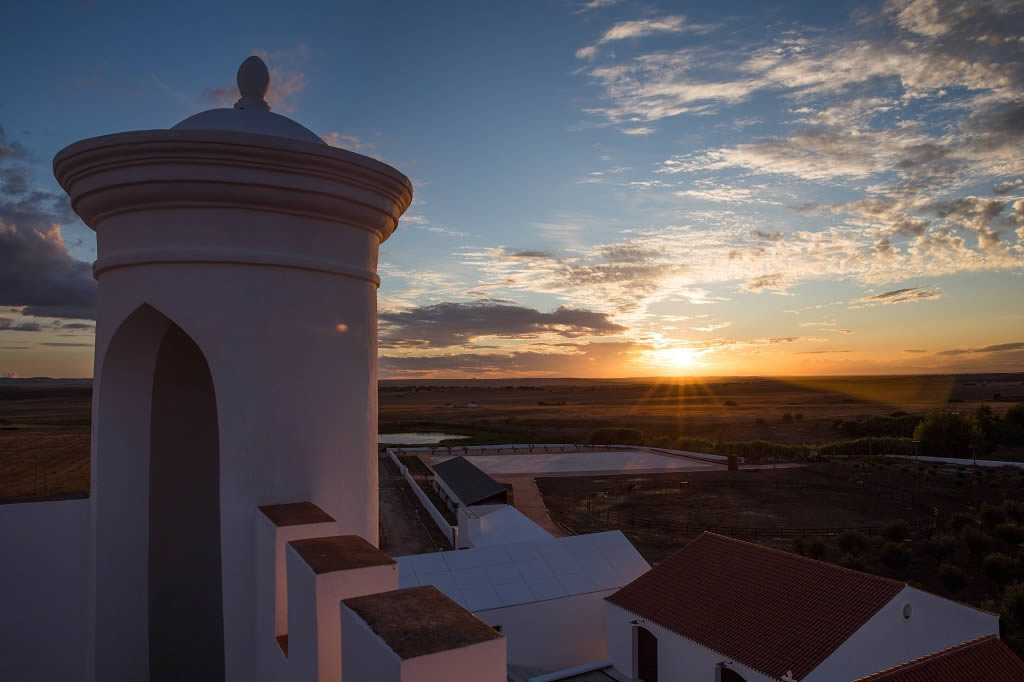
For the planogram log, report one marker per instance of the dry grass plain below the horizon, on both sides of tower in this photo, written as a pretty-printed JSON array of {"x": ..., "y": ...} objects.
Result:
[{"x": 45, "y": 424}]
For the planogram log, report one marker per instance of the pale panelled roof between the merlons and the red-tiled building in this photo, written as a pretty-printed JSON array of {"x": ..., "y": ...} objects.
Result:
[{"x": 486, "y": 578}]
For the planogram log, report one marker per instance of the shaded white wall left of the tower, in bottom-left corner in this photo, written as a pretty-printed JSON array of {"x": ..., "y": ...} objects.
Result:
[{"x": 44, "y": 590}]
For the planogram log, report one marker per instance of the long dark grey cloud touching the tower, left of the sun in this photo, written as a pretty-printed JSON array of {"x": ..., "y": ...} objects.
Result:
[{"x": 453, "y": 324}]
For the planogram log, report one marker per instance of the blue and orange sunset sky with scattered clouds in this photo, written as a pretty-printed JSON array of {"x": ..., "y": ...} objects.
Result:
[{"x": 603, "y": 188}]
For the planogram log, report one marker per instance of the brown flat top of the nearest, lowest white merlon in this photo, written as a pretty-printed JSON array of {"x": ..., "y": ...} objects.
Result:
[{"x": 420, "y": 621}]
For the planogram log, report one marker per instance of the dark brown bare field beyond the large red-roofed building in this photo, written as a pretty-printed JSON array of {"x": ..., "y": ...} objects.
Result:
[{"x": 841, "y": 495}]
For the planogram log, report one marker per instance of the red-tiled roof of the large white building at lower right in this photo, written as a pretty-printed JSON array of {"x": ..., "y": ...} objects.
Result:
[{"x": 769, "y": 610}]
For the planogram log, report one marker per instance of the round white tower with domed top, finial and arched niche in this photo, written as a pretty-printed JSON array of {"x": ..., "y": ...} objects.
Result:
[{"x": 236, "y": 366}]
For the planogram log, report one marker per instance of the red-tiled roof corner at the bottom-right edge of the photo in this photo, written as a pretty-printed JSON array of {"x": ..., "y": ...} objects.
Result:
[{"x": 984, "y": 659}]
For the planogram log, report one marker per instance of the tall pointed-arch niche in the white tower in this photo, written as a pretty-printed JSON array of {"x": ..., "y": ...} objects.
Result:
[{"x": 161, "y": 478}]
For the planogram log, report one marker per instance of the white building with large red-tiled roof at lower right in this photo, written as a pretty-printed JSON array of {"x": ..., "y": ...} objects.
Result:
[{"x": 734, "y": 612}]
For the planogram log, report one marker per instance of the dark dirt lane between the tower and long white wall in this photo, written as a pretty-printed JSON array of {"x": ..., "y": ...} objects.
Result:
[{"x": 406, "y": 527}]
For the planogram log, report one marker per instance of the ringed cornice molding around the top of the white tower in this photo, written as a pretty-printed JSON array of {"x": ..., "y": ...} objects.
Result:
[{"x": 172, "y": 169}]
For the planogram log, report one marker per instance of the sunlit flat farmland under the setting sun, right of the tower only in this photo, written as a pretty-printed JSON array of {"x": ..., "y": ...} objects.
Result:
[{"x": 568, "y": 410}]
